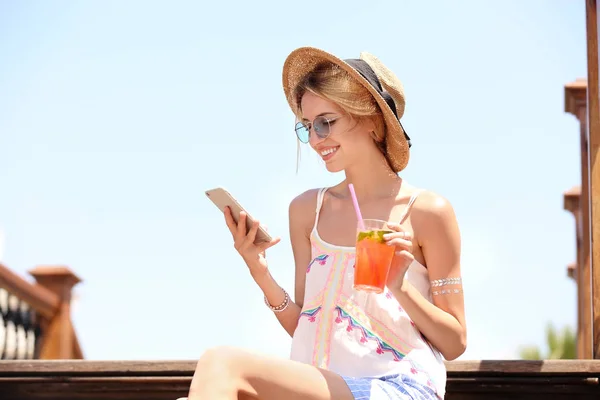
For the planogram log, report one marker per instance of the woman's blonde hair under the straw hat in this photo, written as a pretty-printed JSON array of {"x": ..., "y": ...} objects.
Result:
[{"x": 331, "y": 82}]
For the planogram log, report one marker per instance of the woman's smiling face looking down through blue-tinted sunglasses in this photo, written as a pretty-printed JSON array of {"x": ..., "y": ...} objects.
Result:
[{"x": 347, "y": 137}]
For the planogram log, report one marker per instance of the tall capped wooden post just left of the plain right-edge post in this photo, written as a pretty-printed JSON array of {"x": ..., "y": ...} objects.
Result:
[{"x": 576, "y": 104}]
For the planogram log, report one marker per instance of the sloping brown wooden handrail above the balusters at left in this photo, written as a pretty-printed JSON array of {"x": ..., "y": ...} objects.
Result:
[{"x": 42, "y": 300}]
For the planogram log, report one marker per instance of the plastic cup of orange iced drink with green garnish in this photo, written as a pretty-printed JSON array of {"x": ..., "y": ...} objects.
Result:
[{"x": 373, "y": 256}]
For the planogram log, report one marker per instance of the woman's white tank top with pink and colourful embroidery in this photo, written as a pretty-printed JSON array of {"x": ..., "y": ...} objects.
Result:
[{"x": 361, "y": 334}]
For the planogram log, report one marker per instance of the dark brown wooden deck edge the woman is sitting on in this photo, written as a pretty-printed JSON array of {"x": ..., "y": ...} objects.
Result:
[{"x": 168, "y": 380}]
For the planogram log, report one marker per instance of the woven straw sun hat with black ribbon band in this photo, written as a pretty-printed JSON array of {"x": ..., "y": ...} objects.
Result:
[{"x": 382, "y": 83}]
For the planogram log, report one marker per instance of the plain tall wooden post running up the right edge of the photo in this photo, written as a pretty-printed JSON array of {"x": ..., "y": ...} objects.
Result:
[{"x": 593, "y": 118}]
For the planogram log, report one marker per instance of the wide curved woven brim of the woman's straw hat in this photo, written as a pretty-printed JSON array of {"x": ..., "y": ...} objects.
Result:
[{"x": 304, "y": 60}]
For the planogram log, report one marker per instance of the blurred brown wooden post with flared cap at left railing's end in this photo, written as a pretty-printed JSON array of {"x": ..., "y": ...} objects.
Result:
[{"x": 59, "y": 339}]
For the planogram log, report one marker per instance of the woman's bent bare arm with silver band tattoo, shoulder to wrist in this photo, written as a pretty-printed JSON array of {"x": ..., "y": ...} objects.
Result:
[{"x": 437, "y": 233}]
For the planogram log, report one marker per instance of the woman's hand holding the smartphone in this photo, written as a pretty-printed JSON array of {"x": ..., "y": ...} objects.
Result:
[{"x": 253, "y": 254}]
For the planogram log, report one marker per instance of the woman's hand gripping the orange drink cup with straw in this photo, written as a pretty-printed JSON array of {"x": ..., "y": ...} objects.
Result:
[{"x": 403, "y": 257}]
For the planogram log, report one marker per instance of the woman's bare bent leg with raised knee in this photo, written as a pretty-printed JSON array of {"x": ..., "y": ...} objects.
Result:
[{"x": 226, "y": 373}]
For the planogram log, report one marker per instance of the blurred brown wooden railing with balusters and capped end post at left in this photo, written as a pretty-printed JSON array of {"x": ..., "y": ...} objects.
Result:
[{"x": 35, "y": 319}]
